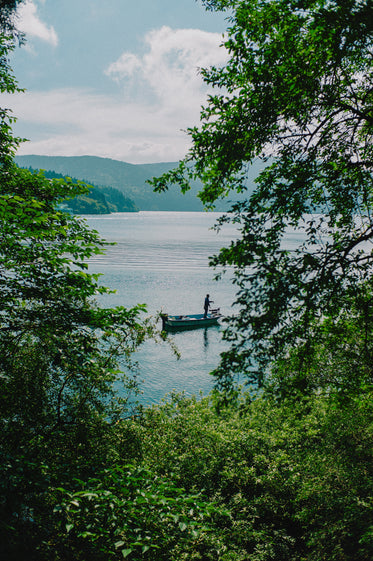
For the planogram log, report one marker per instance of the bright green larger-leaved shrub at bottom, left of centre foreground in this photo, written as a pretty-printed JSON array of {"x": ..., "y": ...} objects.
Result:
[{"x": 130, "y": 512}]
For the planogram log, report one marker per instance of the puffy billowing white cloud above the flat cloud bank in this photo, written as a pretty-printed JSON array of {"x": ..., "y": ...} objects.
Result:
[{"x": 167, "y": 73}]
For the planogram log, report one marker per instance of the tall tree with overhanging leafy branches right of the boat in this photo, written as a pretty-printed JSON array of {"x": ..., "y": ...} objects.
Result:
[{"x": 296, "y": 94}]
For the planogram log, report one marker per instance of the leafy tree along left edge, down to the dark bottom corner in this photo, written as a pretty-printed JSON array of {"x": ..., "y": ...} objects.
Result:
[{"x": 61, "y": 355}]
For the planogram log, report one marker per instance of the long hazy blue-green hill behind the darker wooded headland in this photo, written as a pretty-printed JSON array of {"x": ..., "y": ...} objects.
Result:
[{"x": 128, "y": 178}]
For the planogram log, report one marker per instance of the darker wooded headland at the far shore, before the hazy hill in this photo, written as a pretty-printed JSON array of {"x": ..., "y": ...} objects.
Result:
[{"x": 99, "y": 200}]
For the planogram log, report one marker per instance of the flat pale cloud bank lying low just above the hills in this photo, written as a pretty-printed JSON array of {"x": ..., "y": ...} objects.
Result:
[{"x": 78, "y": 122}]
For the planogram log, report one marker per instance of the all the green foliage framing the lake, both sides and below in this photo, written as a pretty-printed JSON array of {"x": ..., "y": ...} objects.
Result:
[{"x": 285, "y": 476}]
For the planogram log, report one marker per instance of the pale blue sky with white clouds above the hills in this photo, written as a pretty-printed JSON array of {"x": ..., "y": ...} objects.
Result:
[{"x": 117, "y": 79}]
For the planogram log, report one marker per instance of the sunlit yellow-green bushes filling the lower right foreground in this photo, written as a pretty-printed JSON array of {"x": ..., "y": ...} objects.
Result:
[{"x": 295, "y": 478}]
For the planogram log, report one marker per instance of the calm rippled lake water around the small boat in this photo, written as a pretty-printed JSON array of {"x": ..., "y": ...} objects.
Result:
[{"x": 161, "y": 259}]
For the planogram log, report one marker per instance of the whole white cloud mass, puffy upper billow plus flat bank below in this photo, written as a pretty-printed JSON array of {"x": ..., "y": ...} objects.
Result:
[{"x": 142, "y": 124}]
